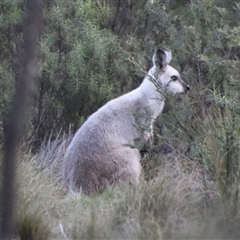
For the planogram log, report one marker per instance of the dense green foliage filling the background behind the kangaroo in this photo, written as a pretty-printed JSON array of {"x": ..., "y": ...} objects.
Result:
[{"x": 94, "y": 50}]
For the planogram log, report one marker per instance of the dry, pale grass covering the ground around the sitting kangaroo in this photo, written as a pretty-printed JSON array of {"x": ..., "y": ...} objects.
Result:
[{"x": 177, "y": 203}]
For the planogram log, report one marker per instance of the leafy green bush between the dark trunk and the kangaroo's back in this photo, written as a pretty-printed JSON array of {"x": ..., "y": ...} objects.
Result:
[{"x": 80, "y": 69}]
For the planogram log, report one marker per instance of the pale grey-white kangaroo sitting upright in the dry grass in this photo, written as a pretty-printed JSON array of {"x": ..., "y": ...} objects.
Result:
[{"x": 100, "y": 153}]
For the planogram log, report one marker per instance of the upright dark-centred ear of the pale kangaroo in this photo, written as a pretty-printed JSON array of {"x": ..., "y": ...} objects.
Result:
[{"x": 162, "y": 58}]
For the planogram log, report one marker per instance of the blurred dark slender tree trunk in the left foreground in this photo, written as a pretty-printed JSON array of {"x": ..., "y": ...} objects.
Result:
[{"x": 17, "y": 118}]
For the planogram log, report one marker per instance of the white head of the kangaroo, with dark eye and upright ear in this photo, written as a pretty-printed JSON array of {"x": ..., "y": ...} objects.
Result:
[{"x": 168, "y": 77}]
